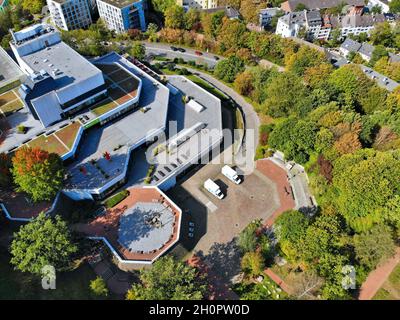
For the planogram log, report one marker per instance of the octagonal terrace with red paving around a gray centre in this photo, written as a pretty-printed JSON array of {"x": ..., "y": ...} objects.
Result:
[{"x": 141, "y": 227}]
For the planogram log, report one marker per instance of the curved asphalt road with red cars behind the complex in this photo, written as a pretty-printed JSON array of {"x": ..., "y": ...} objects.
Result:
[{"x": 165, "y": 50}]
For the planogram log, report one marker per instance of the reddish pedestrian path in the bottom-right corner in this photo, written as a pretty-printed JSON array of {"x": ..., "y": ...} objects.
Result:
[{"x": 377, "y": 278}]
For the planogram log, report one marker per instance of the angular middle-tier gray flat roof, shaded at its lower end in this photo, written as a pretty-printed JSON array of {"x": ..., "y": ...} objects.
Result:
[{"x": 128, "y": 131}]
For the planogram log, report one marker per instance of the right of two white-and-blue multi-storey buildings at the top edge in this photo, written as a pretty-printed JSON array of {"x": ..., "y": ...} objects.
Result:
[{"x": 121, "y": 15}]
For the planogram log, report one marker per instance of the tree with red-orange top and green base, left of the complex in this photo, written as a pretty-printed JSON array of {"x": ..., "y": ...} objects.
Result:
[{"x": 38, "y": 173}]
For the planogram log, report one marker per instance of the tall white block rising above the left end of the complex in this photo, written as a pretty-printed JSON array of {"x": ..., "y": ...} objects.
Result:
[{"x": 59, "y": 80}]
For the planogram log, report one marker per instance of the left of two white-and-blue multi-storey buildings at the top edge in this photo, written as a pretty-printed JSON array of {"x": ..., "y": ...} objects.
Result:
[{"x": 70, "y": 14}]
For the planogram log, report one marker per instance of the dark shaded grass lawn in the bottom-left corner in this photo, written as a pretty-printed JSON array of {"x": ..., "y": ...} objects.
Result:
[{"x": 72, "y": 285}]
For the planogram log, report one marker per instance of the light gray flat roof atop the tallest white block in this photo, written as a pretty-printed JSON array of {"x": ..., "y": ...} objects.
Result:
[{"x": 72, "y": 66}]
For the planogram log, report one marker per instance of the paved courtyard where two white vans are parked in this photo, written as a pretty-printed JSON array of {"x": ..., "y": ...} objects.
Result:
[{"x": 219, "y": 221}]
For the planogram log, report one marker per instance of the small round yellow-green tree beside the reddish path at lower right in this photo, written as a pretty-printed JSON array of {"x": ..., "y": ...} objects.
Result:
[{"x": 374, "y": 246}]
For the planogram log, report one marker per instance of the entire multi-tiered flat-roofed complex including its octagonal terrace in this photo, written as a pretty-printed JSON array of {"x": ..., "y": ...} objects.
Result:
[{"x": 115, "y": 124}]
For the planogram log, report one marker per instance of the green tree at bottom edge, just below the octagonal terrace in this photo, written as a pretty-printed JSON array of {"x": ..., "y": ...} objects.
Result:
[{"x": 168, "y": 280}]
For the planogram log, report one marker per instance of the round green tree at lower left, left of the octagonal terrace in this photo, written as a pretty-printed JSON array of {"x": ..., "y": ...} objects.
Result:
[{"x": 43, "y": 241}]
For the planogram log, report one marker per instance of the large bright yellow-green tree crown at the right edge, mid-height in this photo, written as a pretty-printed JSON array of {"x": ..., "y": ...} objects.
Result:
[{"x": 366, "y": 182}]
